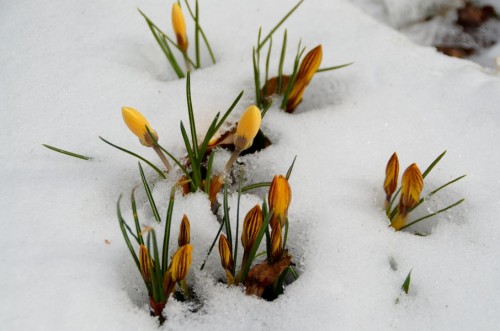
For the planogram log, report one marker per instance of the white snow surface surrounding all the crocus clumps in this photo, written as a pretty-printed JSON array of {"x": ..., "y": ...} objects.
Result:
[{"x": 68, "y": 67}]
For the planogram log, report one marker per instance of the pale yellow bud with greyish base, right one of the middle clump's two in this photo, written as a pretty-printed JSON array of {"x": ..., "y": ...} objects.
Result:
[{"x": 248, "y": 127}]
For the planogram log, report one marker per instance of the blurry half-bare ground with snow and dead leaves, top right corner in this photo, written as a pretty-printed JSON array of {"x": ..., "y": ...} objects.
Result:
[{"x": 432, "y": 23}]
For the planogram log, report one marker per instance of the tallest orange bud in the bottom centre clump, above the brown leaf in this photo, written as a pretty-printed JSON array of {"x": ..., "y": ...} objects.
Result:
[{"x": 280, "y": 196}]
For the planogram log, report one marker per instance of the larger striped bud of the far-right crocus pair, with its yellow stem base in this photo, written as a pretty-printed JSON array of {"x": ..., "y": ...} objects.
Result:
[{"x": 412, "y": 184}]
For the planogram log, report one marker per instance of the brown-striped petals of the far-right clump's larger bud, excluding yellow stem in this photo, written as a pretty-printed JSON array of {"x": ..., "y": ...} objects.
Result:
[{"x": 411, "y": 187}]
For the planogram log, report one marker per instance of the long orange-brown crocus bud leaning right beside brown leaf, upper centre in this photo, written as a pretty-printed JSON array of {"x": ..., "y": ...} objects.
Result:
[{"x": 308, "y": 67}]
